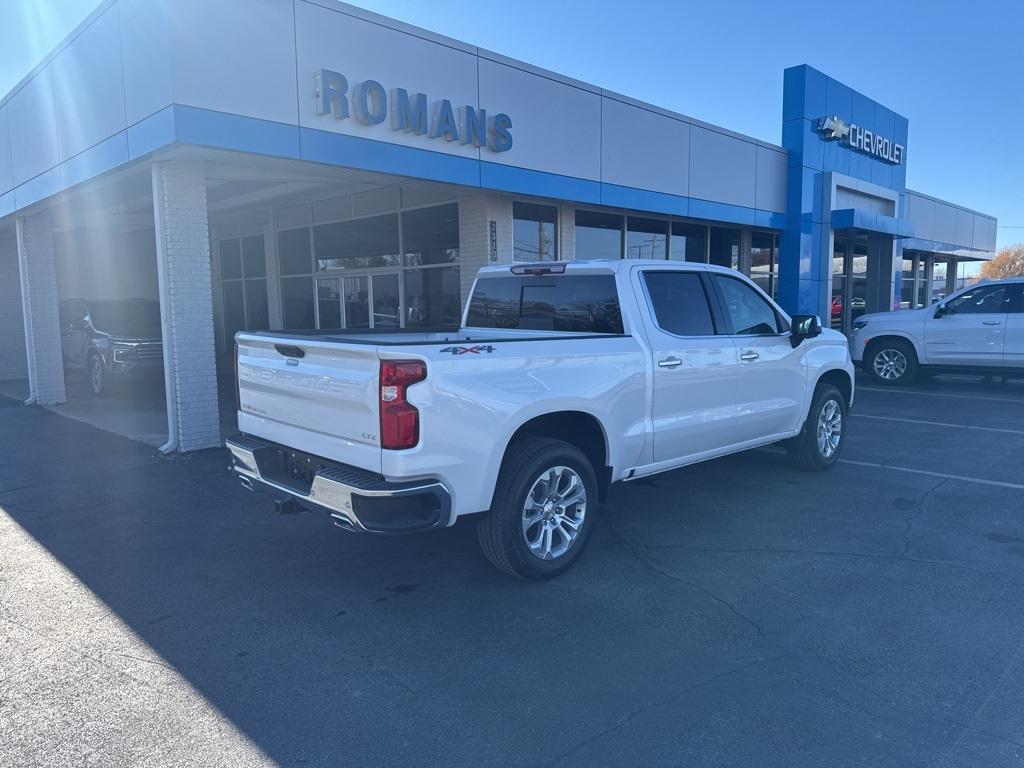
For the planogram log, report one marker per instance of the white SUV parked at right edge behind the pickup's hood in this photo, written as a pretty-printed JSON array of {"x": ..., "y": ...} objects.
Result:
[{"x": 980, "y": 329}]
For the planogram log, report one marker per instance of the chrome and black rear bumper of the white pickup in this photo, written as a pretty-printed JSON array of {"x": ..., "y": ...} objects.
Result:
[{"x": 357, "y": 500}]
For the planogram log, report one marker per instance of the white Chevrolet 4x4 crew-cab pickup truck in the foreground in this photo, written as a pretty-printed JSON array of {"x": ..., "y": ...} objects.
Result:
[{"x": 565, "y": 378}]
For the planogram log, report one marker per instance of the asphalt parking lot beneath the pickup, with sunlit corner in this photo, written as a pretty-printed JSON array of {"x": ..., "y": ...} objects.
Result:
[{"x": 735, "y": 614}]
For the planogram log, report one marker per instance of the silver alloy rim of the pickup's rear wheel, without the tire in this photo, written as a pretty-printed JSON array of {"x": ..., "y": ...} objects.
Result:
[{"x": 554, "y": 511}]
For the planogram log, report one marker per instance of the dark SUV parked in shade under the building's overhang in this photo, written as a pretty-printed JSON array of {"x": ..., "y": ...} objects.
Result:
[{"x": 111, "y": 339}]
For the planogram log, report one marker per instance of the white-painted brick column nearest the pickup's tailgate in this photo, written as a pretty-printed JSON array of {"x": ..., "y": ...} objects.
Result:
[{"x": 187, "y": 301}]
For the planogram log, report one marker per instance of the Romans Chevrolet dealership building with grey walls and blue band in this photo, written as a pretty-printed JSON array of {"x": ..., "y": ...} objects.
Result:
[{"x": 297, "y": 164}]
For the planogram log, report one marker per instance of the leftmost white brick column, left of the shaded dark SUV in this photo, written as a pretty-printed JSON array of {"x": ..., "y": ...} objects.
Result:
[{"x": 40, "y": 310}]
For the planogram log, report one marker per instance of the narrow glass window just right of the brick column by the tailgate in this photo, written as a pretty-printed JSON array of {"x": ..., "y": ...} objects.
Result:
[{"x": 243, "y": 277}]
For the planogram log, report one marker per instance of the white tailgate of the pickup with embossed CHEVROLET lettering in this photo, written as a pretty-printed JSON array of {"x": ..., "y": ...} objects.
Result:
[{"x": 318, "y": 397}]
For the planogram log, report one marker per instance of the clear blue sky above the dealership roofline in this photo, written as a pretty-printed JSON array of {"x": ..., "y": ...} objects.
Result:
[{"x": 954, "y": 69}]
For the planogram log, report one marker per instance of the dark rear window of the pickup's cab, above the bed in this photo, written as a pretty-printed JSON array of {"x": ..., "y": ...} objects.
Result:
[{"x": 582, "y": 304}]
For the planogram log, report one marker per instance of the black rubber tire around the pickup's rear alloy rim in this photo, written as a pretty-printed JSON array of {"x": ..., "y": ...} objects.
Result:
[{"x": 501, "y": 532}]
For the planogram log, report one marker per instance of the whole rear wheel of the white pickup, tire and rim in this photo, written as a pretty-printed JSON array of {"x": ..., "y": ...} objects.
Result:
[{"x": 543, "y": 511}]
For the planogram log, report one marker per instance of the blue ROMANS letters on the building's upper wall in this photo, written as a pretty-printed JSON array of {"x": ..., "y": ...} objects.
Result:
[{"x": 371, "y": 105}]
